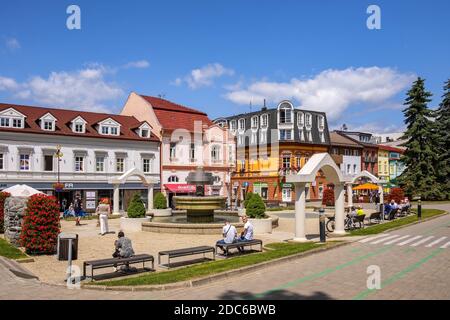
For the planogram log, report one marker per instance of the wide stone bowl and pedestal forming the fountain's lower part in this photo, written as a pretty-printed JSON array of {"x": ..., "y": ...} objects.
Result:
[{"x": 199, "y": 209}]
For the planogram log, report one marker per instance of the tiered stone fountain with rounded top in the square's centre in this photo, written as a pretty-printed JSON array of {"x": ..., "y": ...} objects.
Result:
[{"x": 200, "y": 208}]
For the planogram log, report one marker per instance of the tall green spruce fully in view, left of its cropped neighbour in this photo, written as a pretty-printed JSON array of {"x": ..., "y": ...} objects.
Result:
[{"x": 420, "y": 157}]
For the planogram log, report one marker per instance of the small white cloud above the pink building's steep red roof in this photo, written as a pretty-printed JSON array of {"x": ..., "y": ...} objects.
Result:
[{"x": 204, "y": 76}]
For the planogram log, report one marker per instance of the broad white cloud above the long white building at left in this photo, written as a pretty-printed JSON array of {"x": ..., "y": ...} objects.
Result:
[{"x": 84, "y": 89}]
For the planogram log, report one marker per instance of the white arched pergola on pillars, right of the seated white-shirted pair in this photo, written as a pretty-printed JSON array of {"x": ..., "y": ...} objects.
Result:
[{"x": 324, "y": 162}]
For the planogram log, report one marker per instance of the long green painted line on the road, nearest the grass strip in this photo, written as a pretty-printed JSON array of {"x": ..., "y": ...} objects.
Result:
[{"x": 322, "y": 273}]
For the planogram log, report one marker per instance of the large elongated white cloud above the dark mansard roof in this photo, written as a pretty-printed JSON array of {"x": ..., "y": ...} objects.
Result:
[{"x": 331, "y": 91}]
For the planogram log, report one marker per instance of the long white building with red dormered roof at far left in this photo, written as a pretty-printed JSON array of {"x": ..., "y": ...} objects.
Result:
[{"x": 96, "y": 150}]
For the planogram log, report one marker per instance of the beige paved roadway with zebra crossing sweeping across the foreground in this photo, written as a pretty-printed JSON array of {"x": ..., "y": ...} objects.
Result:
[{"x": 410, "y": 268}]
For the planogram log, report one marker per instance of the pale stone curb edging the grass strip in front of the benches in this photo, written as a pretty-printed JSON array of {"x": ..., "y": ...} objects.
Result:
[{"x": 218, "y": 276}]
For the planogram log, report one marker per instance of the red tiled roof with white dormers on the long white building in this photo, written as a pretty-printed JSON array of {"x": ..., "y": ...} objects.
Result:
[{"x": 64, "y": 118}]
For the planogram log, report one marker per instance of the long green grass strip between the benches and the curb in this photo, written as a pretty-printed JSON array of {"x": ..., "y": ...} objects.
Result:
[{"x": 278, "y": 250}]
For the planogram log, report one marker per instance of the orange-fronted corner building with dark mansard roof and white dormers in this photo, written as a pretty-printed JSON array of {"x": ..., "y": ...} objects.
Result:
[{"x": 272, "y": 143}]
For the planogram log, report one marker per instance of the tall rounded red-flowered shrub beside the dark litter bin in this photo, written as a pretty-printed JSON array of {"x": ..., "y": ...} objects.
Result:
[{"x": 40, "y": 226}]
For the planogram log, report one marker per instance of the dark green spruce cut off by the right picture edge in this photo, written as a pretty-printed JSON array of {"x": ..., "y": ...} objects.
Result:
[{"x": 443, "y": 138}]
